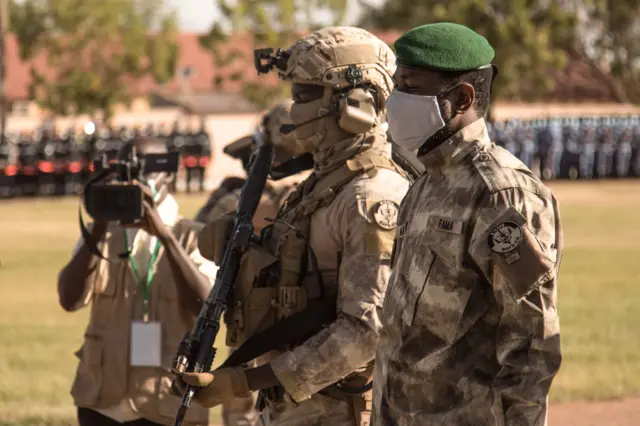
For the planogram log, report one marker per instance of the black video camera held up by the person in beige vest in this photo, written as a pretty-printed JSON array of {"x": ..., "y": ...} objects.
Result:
[{"x": 120, "y": 199}]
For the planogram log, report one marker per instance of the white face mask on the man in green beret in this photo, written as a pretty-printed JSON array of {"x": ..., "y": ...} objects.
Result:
[{"x": 413, "y": 119}]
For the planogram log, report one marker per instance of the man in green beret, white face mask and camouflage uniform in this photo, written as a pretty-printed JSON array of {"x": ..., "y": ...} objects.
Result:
[{"x": 470, "y": 328}]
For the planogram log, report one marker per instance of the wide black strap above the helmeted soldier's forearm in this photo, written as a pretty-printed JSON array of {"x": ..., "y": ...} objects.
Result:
[{"x": 294, "y": 329}]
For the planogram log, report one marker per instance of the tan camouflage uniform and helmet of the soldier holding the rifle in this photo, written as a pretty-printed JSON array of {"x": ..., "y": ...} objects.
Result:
[{"x": 347, "y": 209}]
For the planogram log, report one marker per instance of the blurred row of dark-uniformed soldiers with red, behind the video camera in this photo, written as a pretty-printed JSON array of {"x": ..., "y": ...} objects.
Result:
[{"x": 49, "y": 162}]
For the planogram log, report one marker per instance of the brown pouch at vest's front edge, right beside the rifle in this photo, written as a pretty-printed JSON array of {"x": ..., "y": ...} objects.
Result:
[{"x": 251, "y": 304}]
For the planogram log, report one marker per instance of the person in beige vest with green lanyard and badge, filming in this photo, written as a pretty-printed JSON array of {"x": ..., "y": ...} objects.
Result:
[{"x": 141, "y": 306}]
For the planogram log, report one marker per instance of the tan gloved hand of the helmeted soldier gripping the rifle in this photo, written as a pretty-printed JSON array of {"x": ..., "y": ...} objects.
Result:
[{"x": 215, "y": 388}]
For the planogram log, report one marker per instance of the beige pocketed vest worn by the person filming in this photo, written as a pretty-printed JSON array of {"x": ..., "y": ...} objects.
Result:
[{"x": 104, "y": 376}]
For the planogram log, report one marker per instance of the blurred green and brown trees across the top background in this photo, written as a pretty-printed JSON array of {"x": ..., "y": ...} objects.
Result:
[{"x": 99, "y": 49}]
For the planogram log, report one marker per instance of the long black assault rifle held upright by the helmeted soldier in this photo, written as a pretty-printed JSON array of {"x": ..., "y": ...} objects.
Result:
[{"x": 196, "y": 351}]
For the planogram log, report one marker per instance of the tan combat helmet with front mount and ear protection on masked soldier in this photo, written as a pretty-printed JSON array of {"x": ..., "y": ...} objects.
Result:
[{"x": 354, "y": 67}]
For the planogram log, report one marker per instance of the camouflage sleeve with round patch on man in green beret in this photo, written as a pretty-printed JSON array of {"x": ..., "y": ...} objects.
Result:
[{"x": 517, "y": 243}]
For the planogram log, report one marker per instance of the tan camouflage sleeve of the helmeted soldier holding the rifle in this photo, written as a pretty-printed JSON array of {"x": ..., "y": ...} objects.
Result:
[{"x": 348, "y": 343}]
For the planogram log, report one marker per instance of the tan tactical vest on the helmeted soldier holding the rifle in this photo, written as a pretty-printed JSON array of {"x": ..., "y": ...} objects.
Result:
[{"x": 258, "y": 300}]
